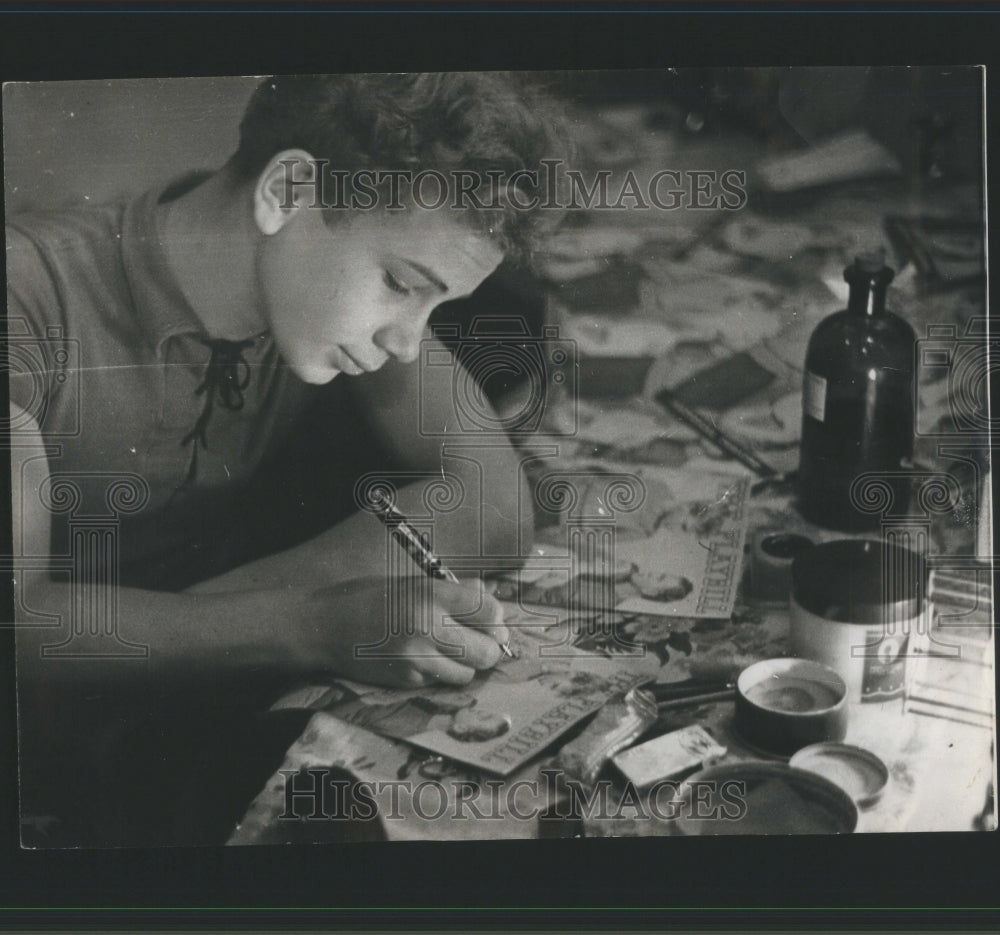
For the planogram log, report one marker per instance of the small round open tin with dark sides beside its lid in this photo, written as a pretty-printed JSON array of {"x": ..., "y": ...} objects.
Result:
[{"x": 783, "y": 705}]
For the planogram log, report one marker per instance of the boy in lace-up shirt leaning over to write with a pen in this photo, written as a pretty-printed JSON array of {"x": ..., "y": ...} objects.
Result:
[{"x": 200, "y": 326}]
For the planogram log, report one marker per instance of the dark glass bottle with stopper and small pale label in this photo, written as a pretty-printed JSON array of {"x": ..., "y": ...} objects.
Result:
[{"x": 857, "y": 405}]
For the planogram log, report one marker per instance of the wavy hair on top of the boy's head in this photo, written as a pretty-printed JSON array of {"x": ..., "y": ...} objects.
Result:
[{"x": 474, "y": 121}]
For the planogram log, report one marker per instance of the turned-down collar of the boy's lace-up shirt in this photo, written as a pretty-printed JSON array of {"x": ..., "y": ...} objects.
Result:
[{"x": 160, "y": 306}]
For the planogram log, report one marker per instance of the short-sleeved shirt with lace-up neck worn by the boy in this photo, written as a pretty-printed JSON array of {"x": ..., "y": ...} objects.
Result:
[{"x": 107, "y": 355}]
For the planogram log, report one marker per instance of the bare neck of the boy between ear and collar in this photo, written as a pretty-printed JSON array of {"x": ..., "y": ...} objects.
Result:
[{"x": 209, "y": 235}]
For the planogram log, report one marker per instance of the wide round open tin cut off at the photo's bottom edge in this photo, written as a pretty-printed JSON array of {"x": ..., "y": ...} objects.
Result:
[{"x": 757, "y": 797}]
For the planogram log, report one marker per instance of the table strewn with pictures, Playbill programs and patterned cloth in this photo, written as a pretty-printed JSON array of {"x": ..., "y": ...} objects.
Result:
[{"x": 648, "y": 567}]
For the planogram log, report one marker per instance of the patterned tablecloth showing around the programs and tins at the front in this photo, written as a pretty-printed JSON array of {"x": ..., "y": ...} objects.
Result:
[{"x": 940, "y": 770}]
